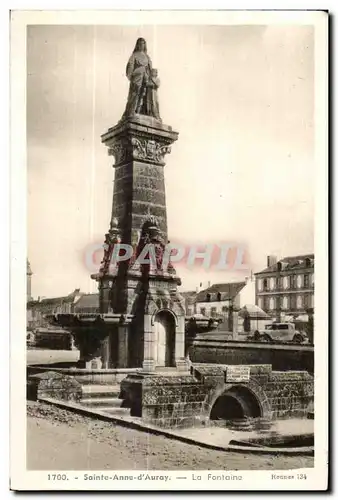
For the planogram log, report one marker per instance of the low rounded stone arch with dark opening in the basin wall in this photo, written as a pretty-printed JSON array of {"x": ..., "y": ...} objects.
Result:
[{"x": 250, "y": 399}]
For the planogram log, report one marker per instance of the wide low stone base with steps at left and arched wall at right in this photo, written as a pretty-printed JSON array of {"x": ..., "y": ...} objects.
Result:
[{"x": 169, "y": 398}]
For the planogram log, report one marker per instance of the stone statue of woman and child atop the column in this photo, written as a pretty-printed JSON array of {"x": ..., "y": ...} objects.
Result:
[{"x": 144, "y": 82}]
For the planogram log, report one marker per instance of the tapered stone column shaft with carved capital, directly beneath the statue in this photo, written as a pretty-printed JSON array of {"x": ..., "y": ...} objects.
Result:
[{"x": 139, "y": 145}]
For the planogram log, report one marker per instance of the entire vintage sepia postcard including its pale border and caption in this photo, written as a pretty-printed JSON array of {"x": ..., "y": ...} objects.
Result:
[{"x": 169, "y": 246}]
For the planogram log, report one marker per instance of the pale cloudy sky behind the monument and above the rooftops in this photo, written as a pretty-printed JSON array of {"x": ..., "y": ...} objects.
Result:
[{"x": 242, "y": 170}]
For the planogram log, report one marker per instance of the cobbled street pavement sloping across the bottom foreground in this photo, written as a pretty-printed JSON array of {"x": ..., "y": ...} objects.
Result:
[{"x": 61, "y": 440}]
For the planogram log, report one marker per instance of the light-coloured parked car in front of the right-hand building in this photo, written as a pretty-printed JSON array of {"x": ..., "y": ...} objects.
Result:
[{"x": 279, "y": 332}]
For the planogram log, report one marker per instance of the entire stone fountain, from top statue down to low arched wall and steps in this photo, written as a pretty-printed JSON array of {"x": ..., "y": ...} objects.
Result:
[{"x": 137, "y": 340}]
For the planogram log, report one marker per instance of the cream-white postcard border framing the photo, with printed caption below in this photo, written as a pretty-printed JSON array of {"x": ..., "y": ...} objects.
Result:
[{"x": 22, "y": 479}]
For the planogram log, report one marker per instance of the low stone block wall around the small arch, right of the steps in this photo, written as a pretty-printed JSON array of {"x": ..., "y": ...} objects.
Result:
[{"x": 187, "y": 400}]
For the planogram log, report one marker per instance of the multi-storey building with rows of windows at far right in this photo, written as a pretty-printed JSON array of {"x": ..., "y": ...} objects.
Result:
[{"x": 285, "y": 288}]
